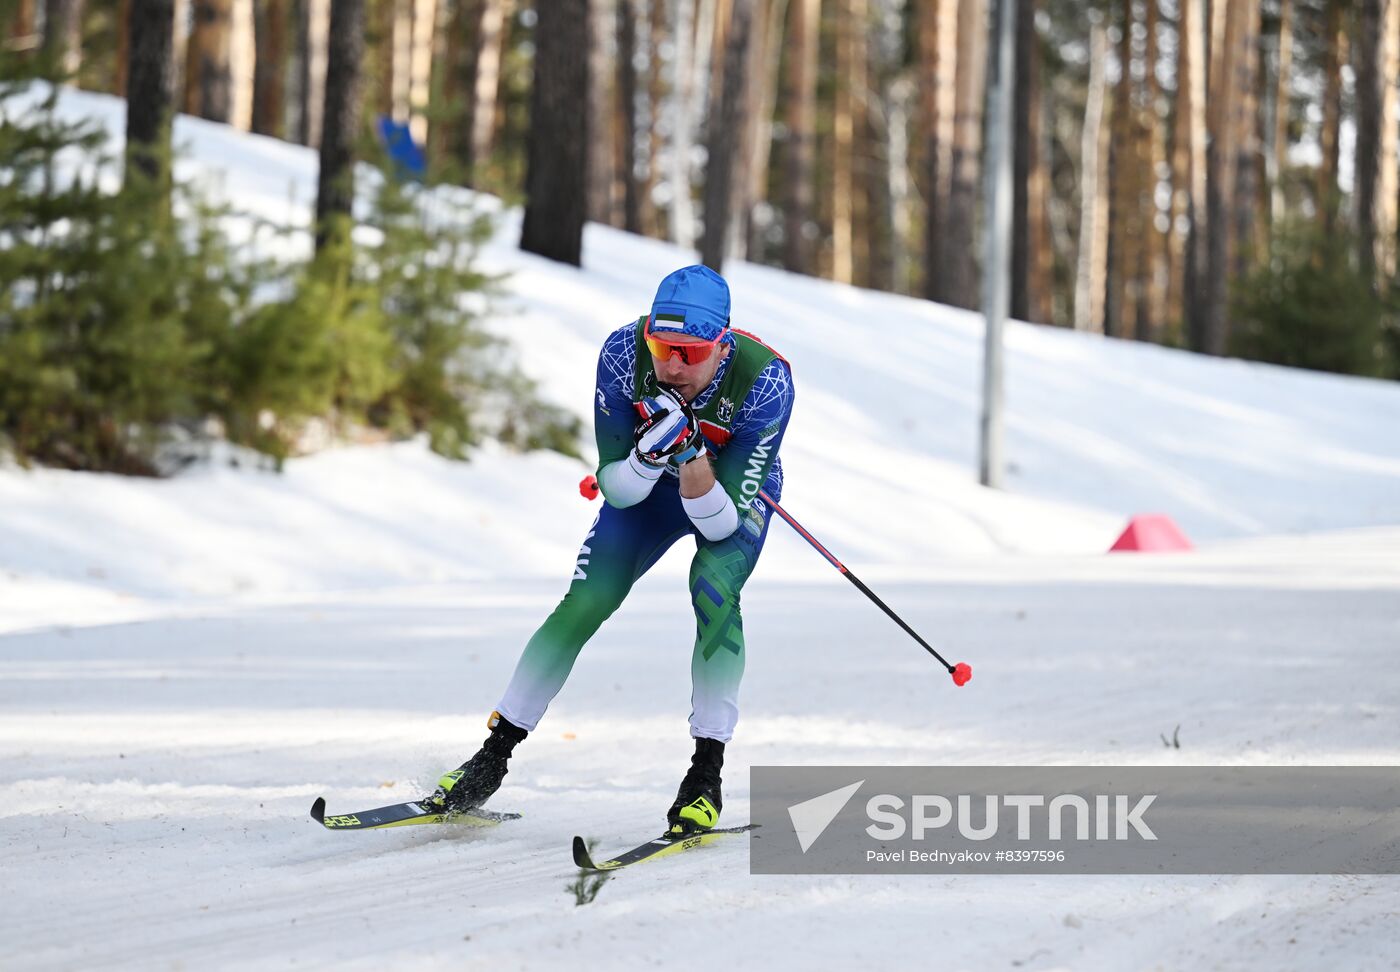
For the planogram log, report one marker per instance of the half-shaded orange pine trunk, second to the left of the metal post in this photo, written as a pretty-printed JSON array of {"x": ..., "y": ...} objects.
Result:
[{"x": 937, "y": 68}]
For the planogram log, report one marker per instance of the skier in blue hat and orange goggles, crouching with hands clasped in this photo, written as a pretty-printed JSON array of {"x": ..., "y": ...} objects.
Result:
[{"x": 689, "y": 417}]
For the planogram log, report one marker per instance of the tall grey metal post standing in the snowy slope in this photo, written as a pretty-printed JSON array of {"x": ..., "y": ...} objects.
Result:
[{"x": 996, "y": 258}]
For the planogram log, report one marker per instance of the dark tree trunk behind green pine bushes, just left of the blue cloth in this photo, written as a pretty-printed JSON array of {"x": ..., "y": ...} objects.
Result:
[{"x": 341, "y": 118}]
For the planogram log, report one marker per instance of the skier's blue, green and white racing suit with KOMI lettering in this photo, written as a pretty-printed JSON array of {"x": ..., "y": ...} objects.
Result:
[{"x": 743, "y": 415}]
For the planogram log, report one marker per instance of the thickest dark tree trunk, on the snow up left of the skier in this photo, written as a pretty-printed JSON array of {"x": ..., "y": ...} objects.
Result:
[{"x": 556, "y": 179}]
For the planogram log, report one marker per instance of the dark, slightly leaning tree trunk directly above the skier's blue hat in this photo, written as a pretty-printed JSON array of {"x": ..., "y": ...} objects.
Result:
[{"x": 726, "y": 138}]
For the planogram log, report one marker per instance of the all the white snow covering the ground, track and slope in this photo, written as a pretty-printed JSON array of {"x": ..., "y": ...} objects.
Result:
[{"x": 187, "y": 665}]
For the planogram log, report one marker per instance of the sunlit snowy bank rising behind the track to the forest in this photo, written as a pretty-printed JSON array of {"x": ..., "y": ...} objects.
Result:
[{"x": 881, "y": 453}]
